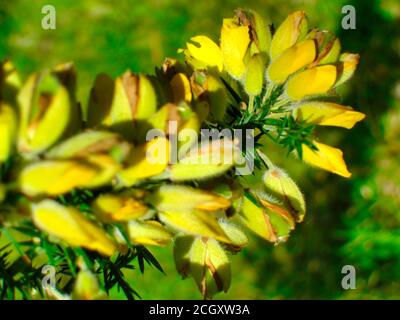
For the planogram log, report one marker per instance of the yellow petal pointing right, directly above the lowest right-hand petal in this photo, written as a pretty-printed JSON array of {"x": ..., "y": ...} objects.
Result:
[{"x": 328, "y": 114}]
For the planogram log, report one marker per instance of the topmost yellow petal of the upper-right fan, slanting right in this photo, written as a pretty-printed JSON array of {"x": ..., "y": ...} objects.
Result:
[{"x": 293, "y": 29}]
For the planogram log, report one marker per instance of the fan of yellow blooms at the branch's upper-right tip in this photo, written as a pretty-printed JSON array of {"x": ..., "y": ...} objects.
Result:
[{"x": 308, "y": 65}]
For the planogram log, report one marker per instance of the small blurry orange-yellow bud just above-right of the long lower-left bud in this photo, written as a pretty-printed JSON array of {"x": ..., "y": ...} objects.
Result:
[{"x": 115, "y": 207}]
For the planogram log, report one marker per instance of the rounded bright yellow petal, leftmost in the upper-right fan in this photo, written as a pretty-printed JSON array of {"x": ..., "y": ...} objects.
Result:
[{"x": 204, "y": 53}]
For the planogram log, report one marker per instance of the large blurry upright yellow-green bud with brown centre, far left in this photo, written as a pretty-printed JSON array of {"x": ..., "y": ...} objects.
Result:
[{"x": 45, "y": 113}]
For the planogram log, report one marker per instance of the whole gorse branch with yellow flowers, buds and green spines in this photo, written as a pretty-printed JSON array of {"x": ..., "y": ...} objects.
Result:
[{"x": 86, "y": 190}]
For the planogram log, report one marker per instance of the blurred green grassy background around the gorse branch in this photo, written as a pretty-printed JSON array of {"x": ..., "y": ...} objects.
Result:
[{"x": 349, "y": 222}]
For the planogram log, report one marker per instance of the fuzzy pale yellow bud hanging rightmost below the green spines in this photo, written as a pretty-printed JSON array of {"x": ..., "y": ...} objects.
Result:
[{"x": 280, "y": 185}]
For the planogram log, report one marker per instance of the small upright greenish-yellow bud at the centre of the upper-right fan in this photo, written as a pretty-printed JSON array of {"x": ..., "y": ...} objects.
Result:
[{"x": 254, "y": 76}]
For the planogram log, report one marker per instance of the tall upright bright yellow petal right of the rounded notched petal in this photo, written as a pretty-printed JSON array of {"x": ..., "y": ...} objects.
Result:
[{"x": 235, "y": 40}]
